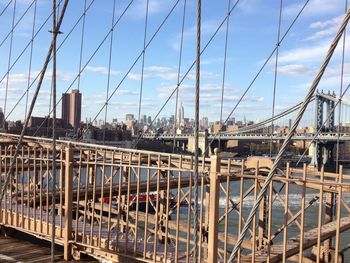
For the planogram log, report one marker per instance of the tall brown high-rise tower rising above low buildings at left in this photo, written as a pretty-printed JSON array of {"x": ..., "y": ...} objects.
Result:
[{"x": 71, "y": 108}]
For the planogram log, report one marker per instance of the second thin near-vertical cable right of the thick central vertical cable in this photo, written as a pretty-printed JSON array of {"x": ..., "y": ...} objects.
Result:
[{"x": 275, "y": 77}]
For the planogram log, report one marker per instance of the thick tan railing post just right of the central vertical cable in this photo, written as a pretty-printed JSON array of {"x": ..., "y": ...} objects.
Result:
[{"x": 214, "y": 207}]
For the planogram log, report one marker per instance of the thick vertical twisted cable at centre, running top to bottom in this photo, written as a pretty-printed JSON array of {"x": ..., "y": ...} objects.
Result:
[{"x": 196, "y": 131}]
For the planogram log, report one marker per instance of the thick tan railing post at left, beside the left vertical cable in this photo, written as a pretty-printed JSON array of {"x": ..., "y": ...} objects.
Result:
[{"x": 68, "y": 188}]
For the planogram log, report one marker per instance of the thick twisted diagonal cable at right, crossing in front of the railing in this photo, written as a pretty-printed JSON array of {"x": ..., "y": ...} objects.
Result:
[{"x": 289, "y": 136}]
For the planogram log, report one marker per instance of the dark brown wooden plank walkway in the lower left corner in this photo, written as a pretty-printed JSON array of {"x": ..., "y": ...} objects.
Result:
[{"x": 18, "y": 249}]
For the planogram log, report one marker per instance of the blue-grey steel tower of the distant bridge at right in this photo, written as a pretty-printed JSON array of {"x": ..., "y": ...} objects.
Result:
[{"x": 323, "y": 151}]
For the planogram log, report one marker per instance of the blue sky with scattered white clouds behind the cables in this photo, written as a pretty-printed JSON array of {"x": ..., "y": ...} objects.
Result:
[{"x": 251, "y": 37}]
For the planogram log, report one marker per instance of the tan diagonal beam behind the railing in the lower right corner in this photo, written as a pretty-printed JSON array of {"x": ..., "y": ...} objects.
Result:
[{"x": 310, "y": 239}]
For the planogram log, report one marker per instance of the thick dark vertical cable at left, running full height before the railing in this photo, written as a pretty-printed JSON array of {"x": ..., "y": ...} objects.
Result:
[{"x": 53, "y": 209}]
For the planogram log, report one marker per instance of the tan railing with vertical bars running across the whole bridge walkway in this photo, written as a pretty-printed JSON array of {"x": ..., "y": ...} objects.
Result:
[{"x": 116, "y": 203}]
